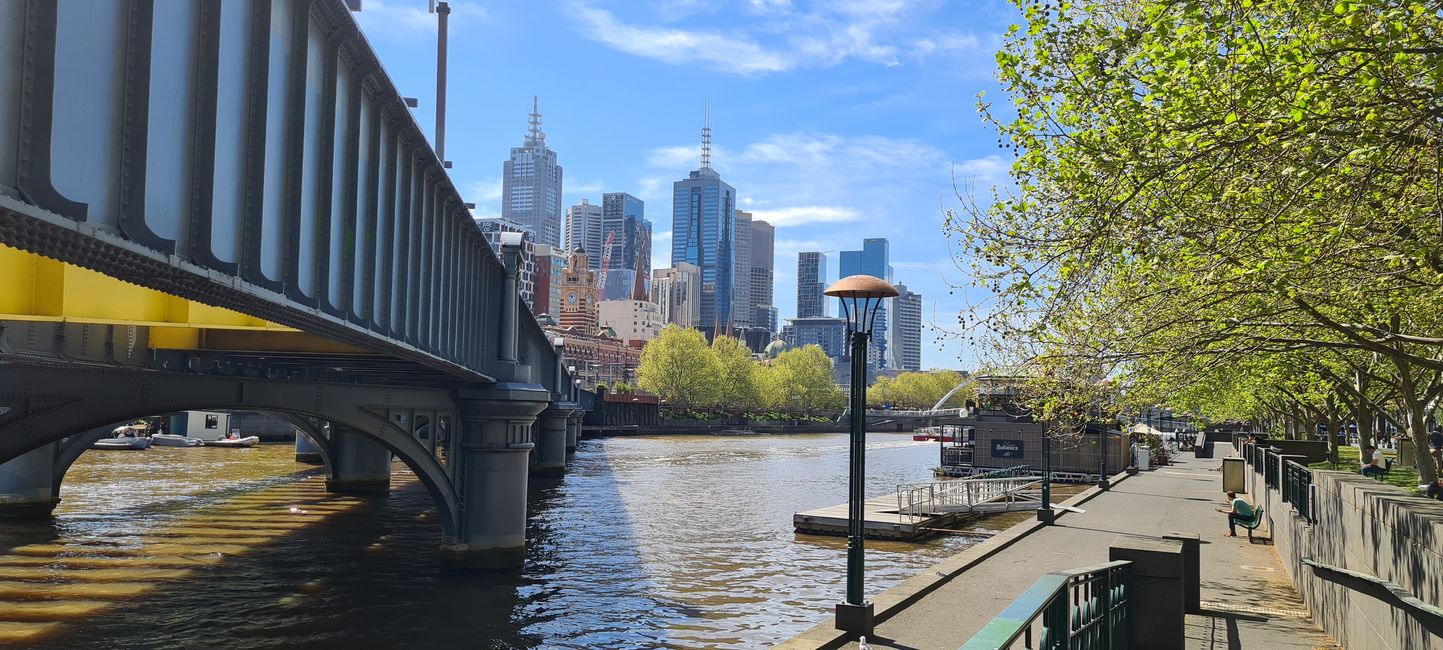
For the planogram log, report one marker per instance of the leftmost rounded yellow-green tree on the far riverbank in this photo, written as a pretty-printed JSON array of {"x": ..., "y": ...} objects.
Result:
[{"x": 682, "y": 369}]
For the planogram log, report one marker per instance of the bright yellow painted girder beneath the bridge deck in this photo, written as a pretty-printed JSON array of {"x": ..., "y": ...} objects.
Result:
[{"x": 35, "y": 288}]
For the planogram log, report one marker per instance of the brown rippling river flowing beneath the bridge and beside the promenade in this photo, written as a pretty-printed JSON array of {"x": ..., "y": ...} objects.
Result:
[{"x": 646, "y": 542}]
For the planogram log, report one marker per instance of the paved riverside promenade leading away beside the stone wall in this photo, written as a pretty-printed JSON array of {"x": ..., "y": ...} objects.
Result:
[{"x": 1247, "y": 599}]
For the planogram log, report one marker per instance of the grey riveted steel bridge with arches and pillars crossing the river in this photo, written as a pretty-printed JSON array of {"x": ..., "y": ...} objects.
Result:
[{"x": 226, "y": 204}]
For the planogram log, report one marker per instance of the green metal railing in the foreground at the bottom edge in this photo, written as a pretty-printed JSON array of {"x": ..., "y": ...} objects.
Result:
[{"x": 1077, "y": 610}]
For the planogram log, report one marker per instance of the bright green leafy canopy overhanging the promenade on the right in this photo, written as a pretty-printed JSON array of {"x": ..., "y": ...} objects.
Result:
[{"x": 1224, "y": 207}]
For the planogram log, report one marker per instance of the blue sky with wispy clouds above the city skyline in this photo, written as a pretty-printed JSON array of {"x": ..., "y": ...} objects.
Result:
[{"x": 835, "y": 121}]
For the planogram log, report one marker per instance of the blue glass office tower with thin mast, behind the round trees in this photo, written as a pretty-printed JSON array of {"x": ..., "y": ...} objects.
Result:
[{"x": 703, "y": 219}]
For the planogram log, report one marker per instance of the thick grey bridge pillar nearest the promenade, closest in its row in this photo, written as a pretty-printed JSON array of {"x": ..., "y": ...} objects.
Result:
[{"x": 493, "y": 467}]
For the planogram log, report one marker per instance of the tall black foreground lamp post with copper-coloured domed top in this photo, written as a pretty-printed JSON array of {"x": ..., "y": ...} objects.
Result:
[{"x": 861, "y": 298}]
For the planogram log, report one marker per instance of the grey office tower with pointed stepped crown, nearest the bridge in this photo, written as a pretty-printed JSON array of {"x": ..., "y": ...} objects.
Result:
[{"x": 532, "y": 186}]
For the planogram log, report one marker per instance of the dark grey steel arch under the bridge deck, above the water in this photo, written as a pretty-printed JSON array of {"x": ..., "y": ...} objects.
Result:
[{"x": 61, "y": 402}]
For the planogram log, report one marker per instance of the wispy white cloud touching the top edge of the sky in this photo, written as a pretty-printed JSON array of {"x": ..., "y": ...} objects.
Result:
[{"x": 781, "y": 38}]
